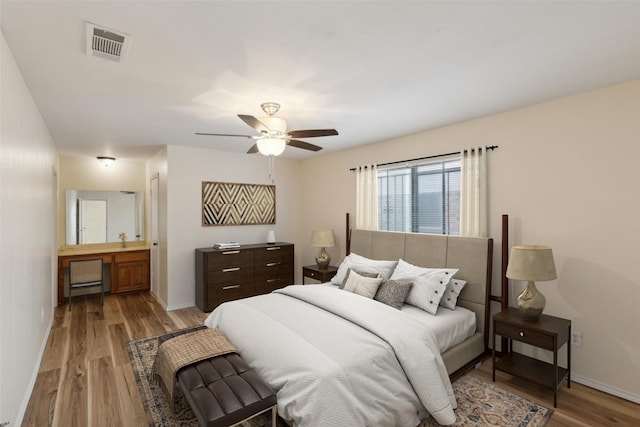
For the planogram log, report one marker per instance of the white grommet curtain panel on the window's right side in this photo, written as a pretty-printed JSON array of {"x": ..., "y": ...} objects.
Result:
[{"x": 473, "y": 192}]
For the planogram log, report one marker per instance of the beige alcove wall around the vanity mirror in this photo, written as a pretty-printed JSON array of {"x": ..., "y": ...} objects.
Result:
[{"x": 87, "y": 173}]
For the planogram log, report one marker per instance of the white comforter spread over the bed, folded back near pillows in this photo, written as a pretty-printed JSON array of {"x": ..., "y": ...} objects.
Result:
[{"x": 338, "y": 359}]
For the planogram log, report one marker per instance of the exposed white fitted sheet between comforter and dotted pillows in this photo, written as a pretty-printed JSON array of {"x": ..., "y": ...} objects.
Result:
[{"x": 450, "y": 327}]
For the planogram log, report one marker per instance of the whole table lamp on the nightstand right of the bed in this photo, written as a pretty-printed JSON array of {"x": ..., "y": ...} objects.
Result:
[{"x": 531, "y": 263}]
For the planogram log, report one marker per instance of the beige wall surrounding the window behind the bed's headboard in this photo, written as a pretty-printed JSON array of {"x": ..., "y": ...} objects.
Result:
[{"x": 565, "y": 171}]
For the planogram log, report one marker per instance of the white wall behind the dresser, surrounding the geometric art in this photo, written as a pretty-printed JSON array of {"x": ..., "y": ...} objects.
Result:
[{"x": 187, "y": 168}]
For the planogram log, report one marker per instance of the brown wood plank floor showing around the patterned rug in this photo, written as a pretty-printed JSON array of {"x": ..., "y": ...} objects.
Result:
[{"x": 85, "y": 378}]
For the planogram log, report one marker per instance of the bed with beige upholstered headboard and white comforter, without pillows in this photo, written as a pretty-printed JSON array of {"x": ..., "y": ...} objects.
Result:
[{"x": 335, "y": 358}]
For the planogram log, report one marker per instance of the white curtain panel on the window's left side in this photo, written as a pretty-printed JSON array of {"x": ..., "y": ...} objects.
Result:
[{"x": 367, "y": 197}]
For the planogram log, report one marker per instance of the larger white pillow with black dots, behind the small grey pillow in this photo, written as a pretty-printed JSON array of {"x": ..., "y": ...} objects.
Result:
[{"x": 429, "y": 284}]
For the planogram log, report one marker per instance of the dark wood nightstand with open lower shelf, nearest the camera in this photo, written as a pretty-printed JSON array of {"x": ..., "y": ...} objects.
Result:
[{"x": 548, "y": 332}]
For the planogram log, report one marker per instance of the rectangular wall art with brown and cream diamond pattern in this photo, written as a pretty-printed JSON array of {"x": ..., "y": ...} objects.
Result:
[{"x": 225, "y": 203}]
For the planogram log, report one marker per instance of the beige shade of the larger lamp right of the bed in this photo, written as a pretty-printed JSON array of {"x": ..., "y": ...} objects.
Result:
[{"x": 531, "y": 263}]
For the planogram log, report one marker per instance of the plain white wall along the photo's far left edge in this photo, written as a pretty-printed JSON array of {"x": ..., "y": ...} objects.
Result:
[{"x": 27, "y": 239}]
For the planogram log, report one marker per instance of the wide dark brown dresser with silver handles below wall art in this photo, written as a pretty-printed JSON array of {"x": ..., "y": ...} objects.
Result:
[{"x": 228, "y": 274}]
